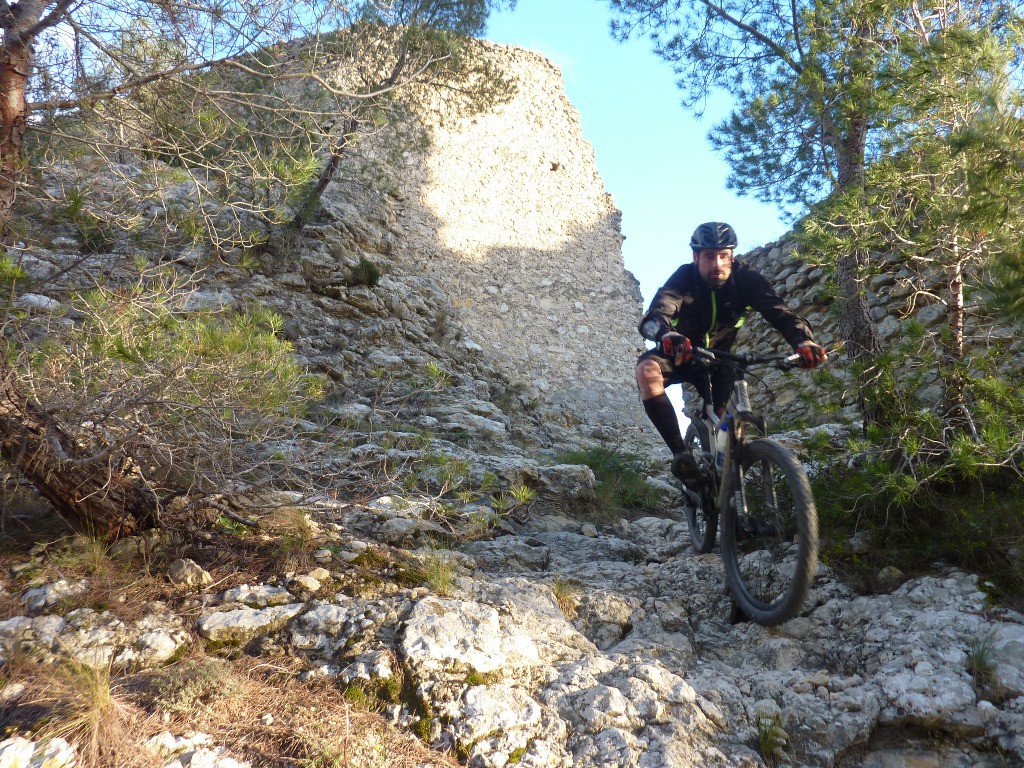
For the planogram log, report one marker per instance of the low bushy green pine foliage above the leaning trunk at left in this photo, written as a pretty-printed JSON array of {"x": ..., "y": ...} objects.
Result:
[{"x": 194, "y": 396}]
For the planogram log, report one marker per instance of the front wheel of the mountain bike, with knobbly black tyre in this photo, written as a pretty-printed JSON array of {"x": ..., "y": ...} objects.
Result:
[{"x": 771, "y": 541}]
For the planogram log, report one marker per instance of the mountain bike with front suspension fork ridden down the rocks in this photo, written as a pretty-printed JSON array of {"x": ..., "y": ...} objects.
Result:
[{"x": 759, "y": 492}]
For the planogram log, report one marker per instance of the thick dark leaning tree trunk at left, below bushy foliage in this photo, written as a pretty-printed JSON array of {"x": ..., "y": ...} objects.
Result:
[{"x": 93, "y": 493}]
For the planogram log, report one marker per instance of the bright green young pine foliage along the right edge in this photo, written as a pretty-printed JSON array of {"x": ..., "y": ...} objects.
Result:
[{"x": 941, "y": 467}]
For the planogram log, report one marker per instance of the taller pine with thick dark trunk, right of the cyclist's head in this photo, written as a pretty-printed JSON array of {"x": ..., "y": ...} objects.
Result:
[{"x": 815, "y": 92}]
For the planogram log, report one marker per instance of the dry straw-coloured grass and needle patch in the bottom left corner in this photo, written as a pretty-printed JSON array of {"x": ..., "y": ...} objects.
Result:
[{"x": 260, "y": 711}]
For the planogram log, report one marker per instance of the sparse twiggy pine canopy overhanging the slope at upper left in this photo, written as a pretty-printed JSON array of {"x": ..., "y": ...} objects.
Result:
[{"x": 240, "y": 114}]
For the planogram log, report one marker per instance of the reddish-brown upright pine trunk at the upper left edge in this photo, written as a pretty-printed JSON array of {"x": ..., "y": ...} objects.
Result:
[{"x": 16, "y": 64}]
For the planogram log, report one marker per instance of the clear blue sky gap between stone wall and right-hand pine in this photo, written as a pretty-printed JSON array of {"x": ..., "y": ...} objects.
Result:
[{"x": 653, "y": 155}]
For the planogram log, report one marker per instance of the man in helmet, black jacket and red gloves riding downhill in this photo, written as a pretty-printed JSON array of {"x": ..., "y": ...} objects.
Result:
[{"x": 705, "y": 304}]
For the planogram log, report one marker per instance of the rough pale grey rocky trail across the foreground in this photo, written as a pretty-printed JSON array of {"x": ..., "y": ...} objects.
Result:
[{"x": 560, "y": 645}]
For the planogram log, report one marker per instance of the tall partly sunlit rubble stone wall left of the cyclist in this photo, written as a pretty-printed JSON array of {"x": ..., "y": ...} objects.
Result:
[{"x": 506, "y": 212}]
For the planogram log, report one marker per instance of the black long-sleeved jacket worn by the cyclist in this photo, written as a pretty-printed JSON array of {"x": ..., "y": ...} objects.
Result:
[{"x": 712, "y": 318}]
